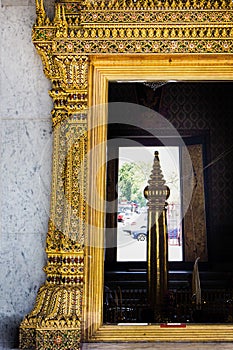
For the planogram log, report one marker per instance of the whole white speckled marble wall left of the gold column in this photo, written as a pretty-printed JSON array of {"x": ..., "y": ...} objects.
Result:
[{"x": 25, "y": 149}]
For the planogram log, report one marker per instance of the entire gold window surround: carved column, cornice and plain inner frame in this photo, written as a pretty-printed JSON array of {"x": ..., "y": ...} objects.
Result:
[{"x": 87, "y": 44}]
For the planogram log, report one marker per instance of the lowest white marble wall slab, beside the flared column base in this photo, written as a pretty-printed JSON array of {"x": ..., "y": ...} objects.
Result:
[{"x": 22, "y": 260}]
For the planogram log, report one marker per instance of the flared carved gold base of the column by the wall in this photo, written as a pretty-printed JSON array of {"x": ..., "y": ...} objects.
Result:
[{"x": 57, "y": 312}]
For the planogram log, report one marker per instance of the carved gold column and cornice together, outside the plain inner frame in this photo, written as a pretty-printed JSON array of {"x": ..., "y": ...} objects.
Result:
[{"x": 79, "y": 30}]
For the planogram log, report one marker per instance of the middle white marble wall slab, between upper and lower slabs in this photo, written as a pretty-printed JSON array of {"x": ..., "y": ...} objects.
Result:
[{"x": 26, "y": 158}]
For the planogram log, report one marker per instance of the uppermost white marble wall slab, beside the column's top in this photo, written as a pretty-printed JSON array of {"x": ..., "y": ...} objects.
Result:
[{"x": 24, "y": 88}]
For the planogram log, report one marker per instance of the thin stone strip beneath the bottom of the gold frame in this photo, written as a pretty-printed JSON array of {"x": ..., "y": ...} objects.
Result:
[{"x": 158, "y": 346}]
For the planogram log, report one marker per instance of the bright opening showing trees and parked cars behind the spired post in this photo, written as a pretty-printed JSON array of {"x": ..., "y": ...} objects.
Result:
[{"x": 135, "y": 164}]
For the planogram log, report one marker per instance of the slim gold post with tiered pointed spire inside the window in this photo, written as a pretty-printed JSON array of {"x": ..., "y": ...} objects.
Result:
[{"x": 157, "y": 249}]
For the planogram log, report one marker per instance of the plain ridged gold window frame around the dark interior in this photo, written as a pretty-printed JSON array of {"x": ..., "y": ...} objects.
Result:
[{"x": 163, "y": 67}]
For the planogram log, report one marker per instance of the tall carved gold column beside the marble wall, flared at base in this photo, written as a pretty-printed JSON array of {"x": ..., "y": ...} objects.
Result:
[{"x": 55, "y": 321}]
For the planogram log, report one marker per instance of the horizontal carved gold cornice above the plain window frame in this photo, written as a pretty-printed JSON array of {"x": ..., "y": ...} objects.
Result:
[{"x": 136, "y": 27}]
